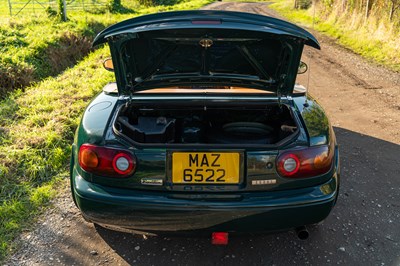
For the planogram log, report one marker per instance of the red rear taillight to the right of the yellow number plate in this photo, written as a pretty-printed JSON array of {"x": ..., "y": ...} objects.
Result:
[{"x": 307, "y": 162}]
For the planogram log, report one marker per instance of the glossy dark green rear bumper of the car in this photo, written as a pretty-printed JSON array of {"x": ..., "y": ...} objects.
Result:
[{"x": 155, "y": 212}]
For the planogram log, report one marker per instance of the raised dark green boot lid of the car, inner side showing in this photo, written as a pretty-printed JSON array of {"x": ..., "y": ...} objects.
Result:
[{"x": 205, "y": 48}]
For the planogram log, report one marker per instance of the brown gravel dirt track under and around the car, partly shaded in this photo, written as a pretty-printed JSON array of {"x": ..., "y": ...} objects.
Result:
[{"x": 363, "y": 102}]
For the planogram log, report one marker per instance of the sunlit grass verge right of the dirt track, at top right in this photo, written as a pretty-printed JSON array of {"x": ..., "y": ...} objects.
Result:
[{"x": 377, "y": 41}]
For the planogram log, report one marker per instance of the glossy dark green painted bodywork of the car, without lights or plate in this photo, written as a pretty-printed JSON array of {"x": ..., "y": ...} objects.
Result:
[{"x": 124, "y": 203}]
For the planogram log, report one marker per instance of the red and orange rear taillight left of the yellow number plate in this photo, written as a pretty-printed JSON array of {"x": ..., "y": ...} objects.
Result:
[{"x": 106, "y": 161}]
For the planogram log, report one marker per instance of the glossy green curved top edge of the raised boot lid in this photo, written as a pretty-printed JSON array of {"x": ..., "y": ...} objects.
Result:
[{"x": 242, "y": 20}]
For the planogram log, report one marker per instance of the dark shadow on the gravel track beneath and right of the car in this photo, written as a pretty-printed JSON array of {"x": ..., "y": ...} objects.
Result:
[{"x": 362, "y": 230}]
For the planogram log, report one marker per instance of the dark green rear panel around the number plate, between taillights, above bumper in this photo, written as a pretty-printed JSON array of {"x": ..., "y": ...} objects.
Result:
[{"x": 257, "y": 173}]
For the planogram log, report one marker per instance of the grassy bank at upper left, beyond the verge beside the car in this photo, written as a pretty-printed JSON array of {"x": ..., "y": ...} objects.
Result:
[{"x": 37, "y": 46}]
